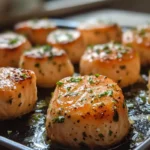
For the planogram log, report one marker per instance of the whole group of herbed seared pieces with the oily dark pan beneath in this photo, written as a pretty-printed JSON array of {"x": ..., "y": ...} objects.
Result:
[{"x": 98, "y": 75}]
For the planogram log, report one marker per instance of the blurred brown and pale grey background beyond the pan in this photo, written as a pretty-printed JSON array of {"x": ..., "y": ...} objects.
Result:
[{"x": 124, "y": 12}]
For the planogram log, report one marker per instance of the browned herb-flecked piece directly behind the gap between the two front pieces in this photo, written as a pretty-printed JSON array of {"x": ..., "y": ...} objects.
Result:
[{"x": 50, "y": 64}]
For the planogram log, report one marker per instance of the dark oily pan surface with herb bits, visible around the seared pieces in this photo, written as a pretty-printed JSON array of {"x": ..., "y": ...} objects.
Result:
[{"x": 30, "y": 129}]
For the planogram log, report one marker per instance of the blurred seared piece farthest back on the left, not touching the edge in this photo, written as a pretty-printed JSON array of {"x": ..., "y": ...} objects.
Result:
[{"x": 36, "y": 30}]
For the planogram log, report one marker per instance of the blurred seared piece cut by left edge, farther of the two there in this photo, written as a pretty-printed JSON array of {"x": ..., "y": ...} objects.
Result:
[{"x": 12, "y": 45}]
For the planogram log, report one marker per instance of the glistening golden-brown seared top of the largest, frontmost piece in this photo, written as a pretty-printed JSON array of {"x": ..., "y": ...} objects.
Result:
[{"x": 95, "y": 106}]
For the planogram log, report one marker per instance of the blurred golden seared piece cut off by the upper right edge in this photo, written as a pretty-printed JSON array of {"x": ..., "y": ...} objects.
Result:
[{"x": 139, "y": 39}]
